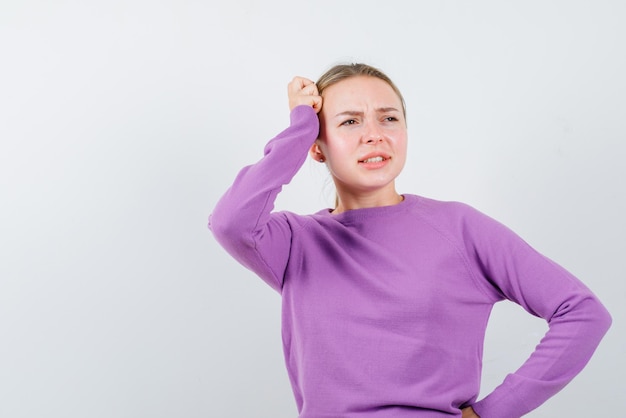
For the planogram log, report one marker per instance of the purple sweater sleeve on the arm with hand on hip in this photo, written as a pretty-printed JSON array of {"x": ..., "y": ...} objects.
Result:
[{"x": 576, "y": 318}]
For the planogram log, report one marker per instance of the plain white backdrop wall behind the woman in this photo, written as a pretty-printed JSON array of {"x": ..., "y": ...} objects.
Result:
[{"x": 123, "y": 122}]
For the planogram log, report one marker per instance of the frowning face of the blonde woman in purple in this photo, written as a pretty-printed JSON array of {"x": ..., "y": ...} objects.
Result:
[{"x": 363, "y": 135}]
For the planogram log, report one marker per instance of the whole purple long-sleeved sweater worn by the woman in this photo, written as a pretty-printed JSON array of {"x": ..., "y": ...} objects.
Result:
[{"x": 385, "y": 309}]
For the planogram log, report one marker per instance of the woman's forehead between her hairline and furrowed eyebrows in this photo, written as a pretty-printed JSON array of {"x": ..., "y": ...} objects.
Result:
[{"x": 360, "y": 91}]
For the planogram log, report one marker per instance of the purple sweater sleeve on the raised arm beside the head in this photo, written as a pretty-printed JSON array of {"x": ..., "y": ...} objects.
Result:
[{"x": 243, "y": 222}]
